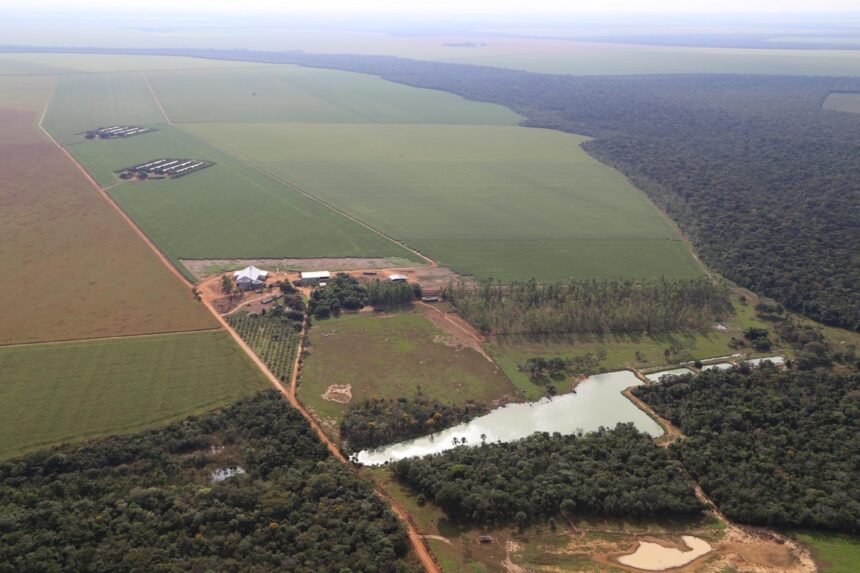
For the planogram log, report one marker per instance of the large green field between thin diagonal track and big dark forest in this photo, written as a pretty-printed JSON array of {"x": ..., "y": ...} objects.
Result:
[{"x": 493, "y": 201}]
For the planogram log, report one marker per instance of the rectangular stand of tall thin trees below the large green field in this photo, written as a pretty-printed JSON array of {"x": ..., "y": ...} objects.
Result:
[{"x": 602, "y": 306}]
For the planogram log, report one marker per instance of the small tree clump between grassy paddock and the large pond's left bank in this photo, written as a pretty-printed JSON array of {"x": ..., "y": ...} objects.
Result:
[{"x": 375, "y": 422}]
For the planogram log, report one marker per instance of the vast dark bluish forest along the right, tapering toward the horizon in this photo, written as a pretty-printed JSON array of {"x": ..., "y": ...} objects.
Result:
[{"x": 764, "y": 182}]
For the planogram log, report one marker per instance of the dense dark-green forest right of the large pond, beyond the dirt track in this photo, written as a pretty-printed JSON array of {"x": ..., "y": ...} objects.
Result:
[{"x": 771, "y": 448}]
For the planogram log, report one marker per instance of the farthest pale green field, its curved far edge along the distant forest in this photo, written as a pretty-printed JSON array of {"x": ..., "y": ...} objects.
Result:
[{"x": 295, "y": 94}]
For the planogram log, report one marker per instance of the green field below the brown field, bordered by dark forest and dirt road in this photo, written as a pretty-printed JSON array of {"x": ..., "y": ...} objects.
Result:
[{"x": 53, "y": 393}]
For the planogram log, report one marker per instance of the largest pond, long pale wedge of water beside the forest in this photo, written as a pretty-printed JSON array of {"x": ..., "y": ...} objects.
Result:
[{"x": 597, "y": 402}]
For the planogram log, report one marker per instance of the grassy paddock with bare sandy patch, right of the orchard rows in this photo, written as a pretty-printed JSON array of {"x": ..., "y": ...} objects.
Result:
[{"x": 389, "y": 357}]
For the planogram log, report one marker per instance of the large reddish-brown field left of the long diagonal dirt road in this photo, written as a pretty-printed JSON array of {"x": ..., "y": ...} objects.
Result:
[{"x": 72, "y": 268}]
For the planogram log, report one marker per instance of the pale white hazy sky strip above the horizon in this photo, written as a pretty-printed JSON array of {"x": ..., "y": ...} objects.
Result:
[{"x": 435, "y": 6}]
